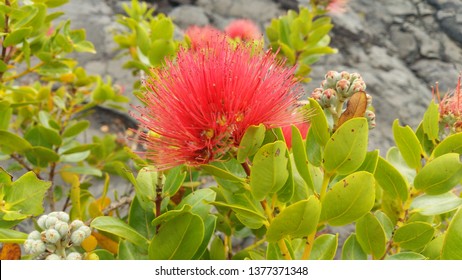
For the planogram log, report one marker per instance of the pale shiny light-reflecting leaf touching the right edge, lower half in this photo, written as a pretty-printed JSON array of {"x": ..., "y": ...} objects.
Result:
[{"x": 430, "y": 205}]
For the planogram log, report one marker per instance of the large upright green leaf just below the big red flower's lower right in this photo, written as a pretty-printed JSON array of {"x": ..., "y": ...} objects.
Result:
[{"x": 269, "y": 170}]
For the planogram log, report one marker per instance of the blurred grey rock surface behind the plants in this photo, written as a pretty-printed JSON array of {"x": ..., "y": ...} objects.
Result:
[{"x": 400, "y": 47}]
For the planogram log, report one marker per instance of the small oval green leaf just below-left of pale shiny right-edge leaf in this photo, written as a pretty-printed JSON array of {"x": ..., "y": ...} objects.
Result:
[{"x": 414, "y": 235}]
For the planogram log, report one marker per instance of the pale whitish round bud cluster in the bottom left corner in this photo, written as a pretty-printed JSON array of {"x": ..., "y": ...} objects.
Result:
[{"x": 57, "y": 236}]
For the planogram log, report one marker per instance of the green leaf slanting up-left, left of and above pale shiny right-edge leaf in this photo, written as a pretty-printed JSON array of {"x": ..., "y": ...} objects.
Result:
[{"x": 390, "y": 180}]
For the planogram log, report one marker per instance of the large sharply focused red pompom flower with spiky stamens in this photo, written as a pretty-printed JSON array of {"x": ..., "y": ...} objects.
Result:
[{"x": 199, "y": 106}]
